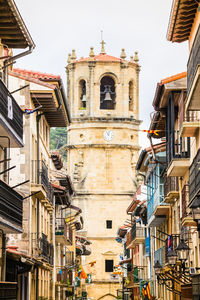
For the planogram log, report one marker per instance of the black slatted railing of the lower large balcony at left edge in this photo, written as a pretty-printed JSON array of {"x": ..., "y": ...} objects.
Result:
[{"x": 11, "y": 204}]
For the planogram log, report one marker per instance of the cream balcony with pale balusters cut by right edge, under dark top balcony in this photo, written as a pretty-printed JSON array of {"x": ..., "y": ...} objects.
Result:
[{"x": 188, "y": 120}]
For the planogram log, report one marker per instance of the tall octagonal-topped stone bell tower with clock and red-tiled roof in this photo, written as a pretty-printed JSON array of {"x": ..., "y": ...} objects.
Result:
[{"x": 103, "y": 93}]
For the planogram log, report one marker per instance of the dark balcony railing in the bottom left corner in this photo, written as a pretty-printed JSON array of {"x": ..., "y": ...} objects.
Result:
[{"x": 8, "y": 290}]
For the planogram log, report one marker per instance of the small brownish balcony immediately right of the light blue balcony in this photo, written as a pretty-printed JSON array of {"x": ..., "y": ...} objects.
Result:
[{"x": 171, "y": 189}]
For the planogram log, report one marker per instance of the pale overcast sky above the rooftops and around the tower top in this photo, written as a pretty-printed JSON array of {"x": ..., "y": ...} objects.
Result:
[{"x": 59, "y": 26}]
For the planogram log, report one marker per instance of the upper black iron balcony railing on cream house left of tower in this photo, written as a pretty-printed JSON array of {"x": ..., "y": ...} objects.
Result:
[{"x": 39, "y": 175}]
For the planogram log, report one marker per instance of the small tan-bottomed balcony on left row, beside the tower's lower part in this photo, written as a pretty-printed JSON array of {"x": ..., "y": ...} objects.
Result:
[{"x": 63, "y": 232}]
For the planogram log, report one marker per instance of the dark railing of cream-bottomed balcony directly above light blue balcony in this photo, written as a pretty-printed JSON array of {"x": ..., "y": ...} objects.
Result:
[{"x": 177, "y": 146}]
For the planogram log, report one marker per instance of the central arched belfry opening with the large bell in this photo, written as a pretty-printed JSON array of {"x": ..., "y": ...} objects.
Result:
[{"x": 107, "y": 93}]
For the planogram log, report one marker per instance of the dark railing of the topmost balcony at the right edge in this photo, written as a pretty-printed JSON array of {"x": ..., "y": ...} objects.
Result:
[{"x": 193, "y": 61}]
